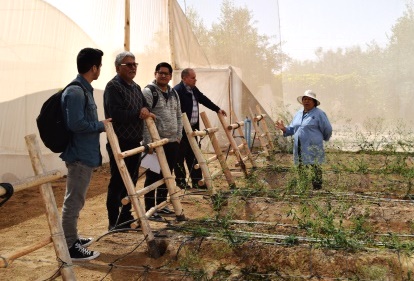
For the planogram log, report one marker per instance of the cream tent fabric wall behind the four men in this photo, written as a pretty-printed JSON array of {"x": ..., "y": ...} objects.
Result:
[{"x": 39, "y": 44}]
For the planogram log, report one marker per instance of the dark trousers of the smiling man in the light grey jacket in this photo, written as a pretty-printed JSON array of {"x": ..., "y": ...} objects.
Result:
[{"x": 171, "y": 153}]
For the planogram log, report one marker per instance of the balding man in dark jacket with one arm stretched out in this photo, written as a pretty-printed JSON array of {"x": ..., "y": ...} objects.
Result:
[{"x": 190, "y": 98}]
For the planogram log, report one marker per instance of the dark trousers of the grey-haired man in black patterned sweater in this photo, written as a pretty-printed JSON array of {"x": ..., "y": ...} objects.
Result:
[{"x": 116, "y": 187}]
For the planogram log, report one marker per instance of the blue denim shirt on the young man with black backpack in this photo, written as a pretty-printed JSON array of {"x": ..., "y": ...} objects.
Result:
[{"x": 83, "y": 123}]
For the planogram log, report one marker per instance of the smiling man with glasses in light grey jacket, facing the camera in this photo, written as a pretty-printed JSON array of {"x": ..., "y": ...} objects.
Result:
[{"x": 169, "y": 125}]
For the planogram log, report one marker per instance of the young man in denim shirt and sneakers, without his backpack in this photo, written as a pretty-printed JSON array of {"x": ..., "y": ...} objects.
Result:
[{"x": 82, "y": 154}]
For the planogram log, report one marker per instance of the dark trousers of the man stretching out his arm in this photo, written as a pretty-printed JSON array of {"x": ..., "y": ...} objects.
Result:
[{"x": 187, "y": 154}]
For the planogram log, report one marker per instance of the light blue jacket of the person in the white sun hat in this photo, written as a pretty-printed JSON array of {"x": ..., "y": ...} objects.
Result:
[{"x": 311, "y": 132}]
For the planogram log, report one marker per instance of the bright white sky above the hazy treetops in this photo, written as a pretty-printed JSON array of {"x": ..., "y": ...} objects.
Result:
[{"x": 306, "y": 25}]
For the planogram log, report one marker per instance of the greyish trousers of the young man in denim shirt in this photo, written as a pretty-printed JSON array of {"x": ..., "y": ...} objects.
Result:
[{"x": 77, "y": 183}]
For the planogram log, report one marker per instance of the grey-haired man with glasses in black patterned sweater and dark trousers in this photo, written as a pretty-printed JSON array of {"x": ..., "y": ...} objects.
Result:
[{"x": 126, "y": 105}]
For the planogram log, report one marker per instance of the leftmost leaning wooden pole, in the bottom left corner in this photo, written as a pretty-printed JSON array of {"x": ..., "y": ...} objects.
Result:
[{"x": 52, "y": 214}]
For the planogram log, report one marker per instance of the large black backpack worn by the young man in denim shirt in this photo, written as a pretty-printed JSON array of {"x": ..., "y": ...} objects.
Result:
[{"x": 51, "y": 123}]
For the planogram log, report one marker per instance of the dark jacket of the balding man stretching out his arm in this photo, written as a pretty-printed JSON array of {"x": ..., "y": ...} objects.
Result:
[{"x": 187, "y": 101}]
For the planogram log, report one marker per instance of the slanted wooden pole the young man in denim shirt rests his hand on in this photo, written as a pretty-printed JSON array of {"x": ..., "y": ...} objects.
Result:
[{"x": 129, "y": 185}]
